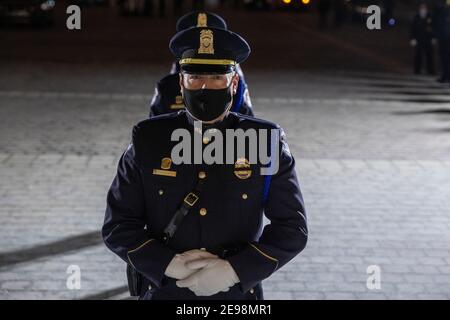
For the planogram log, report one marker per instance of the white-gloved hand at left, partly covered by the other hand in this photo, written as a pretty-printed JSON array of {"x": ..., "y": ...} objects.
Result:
[{"x": 177, "y": 268}]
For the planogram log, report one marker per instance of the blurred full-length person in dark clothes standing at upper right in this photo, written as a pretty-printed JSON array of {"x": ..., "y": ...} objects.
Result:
[{"x": 422, "y": 39}]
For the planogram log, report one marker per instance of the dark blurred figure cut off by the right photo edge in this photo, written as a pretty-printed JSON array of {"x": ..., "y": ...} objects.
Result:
[{"x": 442, "y": 30}]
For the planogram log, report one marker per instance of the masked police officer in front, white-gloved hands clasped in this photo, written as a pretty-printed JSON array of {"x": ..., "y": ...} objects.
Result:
[{"x": 217, "y": 248}]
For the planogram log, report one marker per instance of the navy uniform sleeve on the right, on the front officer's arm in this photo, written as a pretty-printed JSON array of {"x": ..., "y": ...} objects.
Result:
[{"x": 284, "y": 237}]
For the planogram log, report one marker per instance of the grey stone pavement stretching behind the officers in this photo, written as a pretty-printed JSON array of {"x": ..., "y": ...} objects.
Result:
[{"x": 373, "y": 160}]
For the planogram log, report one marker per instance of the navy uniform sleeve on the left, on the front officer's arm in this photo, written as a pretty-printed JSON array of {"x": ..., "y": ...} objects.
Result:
[{"x": 124, "y": 226}]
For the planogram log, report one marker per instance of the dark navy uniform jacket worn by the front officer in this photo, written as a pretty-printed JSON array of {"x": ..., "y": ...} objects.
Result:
[{"x": 143, "y": 197}]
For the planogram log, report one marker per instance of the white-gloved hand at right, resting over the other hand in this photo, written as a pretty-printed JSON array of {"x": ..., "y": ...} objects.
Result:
[{"x": 215, "y": 275}]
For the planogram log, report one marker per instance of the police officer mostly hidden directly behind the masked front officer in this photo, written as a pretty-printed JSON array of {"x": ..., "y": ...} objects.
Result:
[{"x": 167, "y": 97}]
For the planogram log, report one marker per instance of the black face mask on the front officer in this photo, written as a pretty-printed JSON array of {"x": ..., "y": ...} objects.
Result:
[{"x": 207, "y": 104}]
